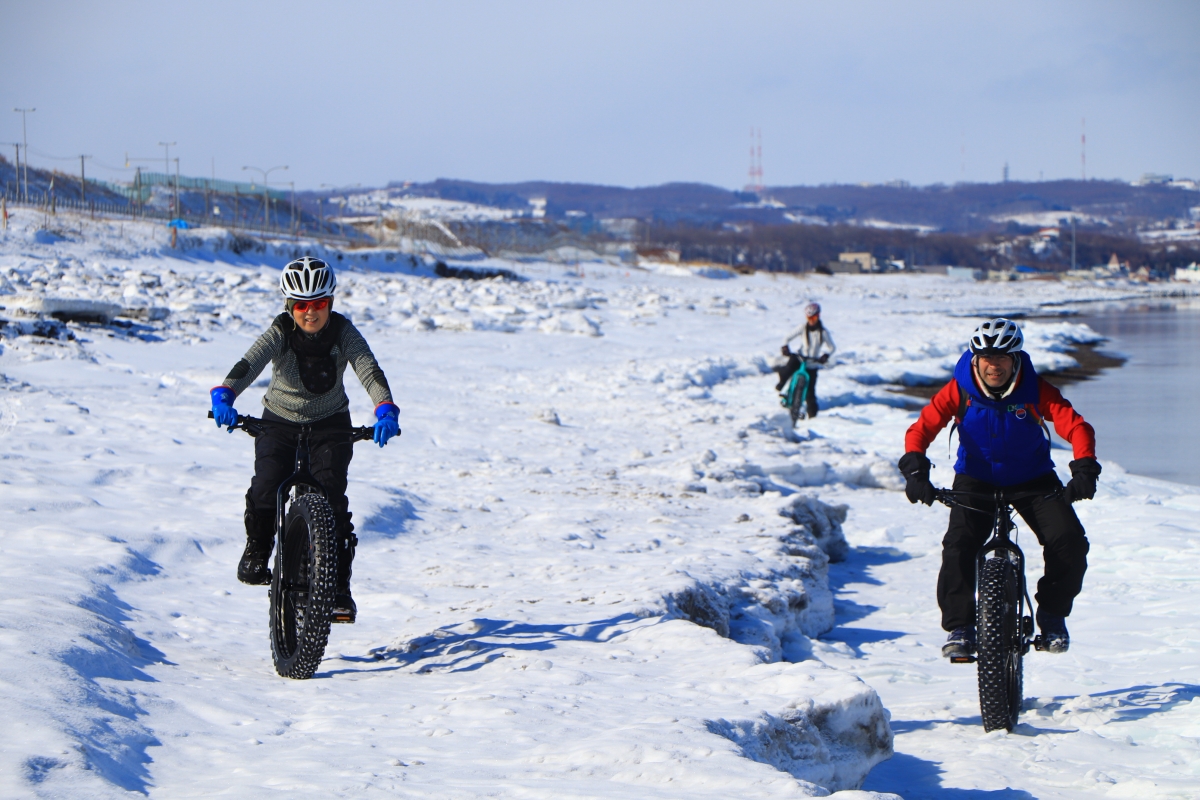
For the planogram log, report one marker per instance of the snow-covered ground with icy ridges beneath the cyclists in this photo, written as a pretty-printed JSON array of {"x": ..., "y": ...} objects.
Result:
[{"x": 598, "y": 563}]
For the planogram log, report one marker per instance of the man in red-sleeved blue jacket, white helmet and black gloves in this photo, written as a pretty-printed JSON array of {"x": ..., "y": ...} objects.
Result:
[{"x": 1000, "y": 405}]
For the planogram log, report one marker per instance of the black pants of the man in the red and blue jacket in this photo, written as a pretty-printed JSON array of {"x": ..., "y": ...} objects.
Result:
[{"x": 1057, "y": 527}]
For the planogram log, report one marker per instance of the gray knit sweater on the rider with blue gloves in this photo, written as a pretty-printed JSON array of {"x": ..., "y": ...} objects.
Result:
[{"x": 307, "y": 384}]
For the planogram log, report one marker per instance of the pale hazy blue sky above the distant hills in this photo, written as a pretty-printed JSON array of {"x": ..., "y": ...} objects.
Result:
[{"x": 629, "y": 94}]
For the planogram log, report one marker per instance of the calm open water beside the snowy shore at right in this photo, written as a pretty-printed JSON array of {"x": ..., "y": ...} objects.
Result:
[{"x": 1147, "y": 413}]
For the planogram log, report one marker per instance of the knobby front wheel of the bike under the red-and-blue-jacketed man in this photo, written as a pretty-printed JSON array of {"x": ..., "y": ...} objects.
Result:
[{"x": 999, "y": 642}]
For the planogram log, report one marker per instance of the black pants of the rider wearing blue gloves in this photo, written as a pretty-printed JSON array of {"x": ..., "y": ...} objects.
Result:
[{"x": 275, "y": 456}]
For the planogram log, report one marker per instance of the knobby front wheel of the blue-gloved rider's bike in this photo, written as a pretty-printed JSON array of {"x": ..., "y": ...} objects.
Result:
[{"x": 303, "y": 588}]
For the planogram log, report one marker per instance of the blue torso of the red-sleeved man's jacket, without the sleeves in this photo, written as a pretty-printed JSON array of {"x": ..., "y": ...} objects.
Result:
[{"x": 1003, "y": 442}]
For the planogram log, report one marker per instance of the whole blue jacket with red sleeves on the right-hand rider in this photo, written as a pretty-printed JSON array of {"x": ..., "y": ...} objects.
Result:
[{"x": 1003, "y": 442}]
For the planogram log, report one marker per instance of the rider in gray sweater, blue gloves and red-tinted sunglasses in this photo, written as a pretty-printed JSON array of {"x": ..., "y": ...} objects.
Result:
[{"x": 309, "y": 347}]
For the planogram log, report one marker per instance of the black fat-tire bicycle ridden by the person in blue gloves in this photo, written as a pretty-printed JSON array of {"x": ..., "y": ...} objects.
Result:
[{"x": 305, "y": 575}]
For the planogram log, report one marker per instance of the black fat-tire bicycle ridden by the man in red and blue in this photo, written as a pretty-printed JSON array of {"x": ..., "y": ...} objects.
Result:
[{"x": 1004, "y": 623}]
